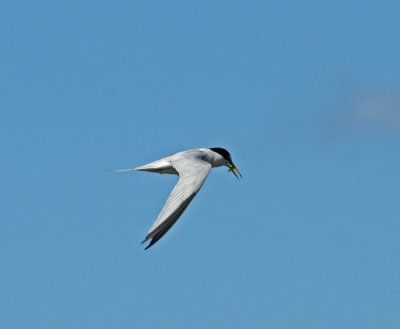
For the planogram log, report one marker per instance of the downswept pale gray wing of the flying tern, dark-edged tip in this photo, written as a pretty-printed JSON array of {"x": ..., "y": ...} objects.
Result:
[{"x": 192, "y": 174}]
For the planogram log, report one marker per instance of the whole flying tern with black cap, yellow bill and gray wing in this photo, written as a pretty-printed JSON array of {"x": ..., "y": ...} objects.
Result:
[{"x": 192, "y": 167}]
